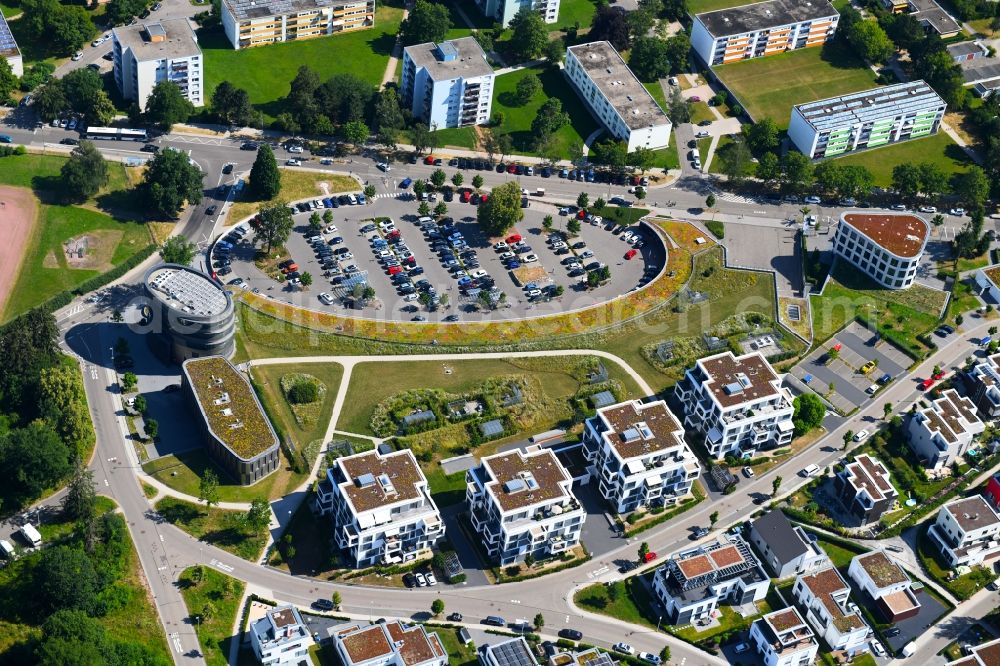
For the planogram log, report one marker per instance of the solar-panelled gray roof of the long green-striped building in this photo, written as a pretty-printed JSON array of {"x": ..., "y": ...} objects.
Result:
[{"x": 868, "y": 105}]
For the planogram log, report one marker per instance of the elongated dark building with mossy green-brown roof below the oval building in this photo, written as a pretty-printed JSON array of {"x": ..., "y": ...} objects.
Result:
[{"x": 237, "y": 432}]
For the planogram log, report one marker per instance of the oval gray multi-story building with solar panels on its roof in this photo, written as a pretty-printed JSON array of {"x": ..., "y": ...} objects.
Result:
[{"x": 194, "y": 314}]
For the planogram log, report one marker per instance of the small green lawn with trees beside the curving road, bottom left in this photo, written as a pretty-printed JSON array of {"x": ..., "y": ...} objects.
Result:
[{"x": 214, "y": 598}]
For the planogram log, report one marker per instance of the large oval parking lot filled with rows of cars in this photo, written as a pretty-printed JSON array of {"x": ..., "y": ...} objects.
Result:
[{"x": 462, "y": 272}]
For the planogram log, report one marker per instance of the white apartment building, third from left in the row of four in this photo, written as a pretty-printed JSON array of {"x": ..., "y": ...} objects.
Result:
[{"x": 638, "y": 455}]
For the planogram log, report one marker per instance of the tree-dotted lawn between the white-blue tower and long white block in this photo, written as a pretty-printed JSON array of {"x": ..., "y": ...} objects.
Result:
[{"x": 518, "y": 118}]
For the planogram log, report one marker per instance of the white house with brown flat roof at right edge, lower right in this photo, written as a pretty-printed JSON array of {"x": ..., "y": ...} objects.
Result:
[{"x": 967, "y": 532}]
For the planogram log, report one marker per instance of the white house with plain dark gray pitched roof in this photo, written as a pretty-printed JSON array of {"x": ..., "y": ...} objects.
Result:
[{"x": 785, "y": 549}]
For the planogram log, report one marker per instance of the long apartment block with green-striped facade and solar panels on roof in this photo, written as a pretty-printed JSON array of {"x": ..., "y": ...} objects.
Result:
[{"x": 866, "y": 119}]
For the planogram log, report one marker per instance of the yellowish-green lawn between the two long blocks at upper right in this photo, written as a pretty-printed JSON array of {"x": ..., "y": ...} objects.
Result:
[{"x": 805, "y": 74}]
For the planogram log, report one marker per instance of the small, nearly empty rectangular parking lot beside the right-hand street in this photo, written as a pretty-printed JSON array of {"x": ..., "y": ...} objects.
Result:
[{"x": 856, "y": 346}]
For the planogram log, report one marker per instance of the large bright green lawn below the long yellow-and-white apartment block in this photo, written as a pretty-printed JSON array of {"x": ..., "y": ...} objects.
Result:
[{"x": 266, "y": 71}]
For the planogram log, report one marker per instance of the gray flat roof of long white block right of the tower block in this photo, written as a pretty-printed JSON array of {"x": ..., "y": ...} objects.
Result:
[{"x": 609, "y": 72}]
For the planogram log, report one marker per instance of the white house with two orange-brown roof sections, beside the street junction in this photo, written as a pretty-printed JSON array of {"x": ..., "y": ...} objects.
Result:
[{"x": 693, "y": 583}]
